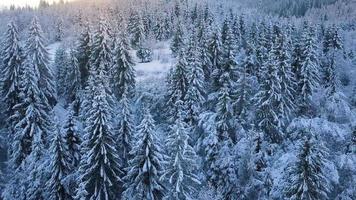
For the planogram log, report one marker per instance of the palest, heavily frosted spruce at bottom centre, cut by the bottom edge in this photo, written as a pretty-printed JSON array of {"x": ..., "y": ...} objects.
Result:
[{"x": 182, "y": 163}]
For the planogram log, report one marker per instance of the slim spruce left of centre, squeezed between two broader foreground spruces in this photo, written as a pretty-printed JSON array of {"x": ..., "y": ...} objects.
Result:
[{"x": 125, "y": 128}]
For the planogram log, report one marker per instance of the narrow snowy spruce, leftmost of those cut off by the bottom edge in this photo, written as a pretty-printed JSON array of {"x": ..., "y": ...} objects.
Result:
[{"x": 58, "y": 168}]
